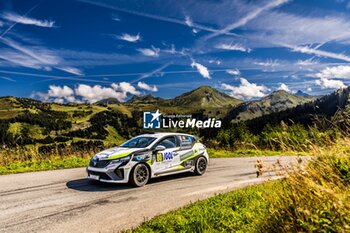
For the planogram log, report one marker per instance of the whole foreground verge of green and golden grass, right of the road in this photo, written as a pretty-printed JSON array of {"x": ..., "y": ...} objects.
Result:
[{"x": 310, "y": 199}]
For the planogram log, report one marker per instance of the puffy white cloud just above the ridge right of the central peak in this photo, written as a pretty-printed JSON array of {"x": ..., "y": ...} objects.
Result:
[{"x": 246, "y": 90}]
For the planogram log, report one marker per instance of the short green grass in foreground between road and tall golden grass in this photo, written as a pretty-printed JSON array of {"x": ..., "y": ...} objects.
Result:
[{"x": 237, "y": 211}]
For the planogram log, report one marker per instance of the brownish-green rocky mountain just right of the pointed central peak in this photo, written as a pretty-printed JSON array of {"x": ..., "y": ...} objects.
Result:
[{"x": 275, "y": 102}]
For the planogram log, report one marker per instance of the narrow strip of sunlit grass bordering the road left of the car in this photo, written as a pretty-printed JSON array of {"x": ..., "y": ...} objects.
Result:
[{"x": 45, "y": 164}]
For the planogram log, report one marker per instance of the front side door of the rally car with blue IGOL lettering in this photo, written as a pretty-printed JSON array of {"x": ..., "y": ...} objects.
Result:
[{"x": 166, "y": 160}]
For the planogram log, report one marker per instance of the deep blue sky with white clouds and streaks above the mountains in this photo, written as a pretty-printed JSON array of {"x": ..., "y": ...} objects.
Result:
[{"x": 87, "y": 50}]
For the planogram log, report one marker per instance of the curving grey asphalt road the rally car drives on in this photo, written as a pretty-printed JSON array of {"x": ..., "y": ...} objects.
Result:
[{"x": 64, "y": 201}]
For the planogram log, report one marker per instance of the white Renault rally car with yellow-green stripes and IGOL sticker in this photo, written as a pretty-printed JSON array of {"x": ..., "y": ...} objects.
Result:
[{"x": 147, "y": 156}]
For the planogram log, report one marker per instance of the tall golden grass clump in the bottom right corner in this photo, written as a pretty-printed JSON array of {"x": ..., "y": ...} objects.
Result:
[{"x": 315, "y": 199}]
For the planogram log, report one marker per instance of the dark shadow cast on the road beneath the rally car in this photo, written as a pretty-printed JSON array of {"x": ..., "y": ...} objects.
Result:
[{"x": 87, "y": 185}]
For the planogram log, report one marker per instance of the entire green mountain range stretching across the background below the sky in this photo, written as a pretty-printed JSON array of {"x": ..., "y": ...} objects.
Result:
[{"x": 30, "y": 122}]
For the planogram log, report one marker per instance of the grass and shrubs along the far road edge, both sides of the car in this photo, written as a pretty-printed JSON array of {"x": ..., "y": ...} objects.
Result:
[{"x": 54, "y": 152}]
